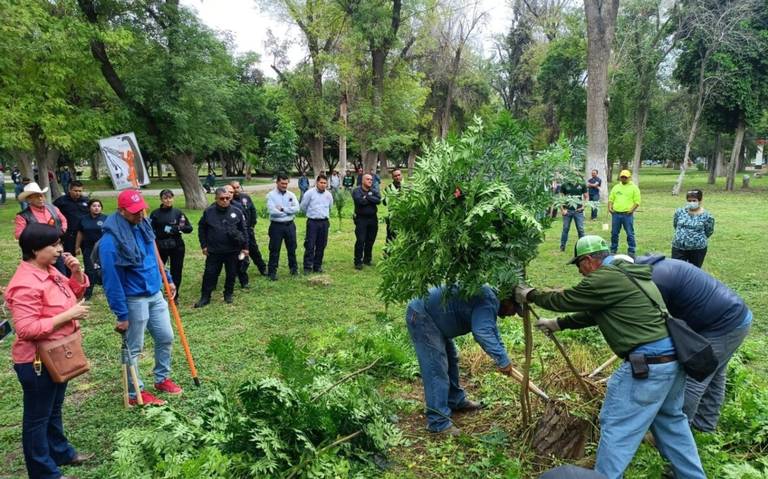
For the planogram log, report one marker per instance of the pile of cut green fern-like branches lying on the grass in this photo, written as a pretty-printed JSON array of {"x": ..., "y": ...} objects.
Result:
[{"x": 309, "y": 423}]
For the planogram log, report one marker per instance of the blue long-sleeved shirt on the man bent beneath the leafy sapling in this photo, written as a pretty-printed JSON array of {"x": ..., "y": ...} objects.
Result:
[{"x": 455, "y": 316}]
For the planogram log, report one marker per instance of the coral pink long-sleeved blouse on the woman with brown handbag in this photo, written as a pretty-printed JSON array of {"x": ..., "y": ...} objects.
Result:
[{"x": 34, "y": 298}]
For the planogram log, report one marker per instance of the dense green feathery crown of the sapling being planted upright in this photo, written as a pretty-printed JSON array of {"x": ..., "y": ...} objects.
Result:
[{"x": 474, "y": 212}]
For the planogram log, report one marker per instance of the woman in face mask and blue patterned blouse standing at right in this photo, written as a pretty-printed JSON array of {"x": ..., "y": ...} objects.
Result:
[{"x": 693, "y": 227}]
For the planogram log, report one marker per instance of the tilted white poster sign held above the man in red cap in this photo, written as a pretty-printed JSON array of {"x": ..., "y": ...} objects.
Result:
[{"x": 124, "y": 161}]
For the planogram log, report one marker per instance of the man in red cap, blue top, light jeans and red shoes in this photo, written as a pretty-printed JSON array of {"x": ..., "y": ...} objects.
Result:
[{"x": 132, "y": 285}]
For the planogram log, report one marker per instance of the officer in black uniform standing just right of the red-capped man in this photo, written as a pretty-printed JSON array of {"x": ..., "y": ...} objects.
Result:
[{"x": 169, "y": 223}]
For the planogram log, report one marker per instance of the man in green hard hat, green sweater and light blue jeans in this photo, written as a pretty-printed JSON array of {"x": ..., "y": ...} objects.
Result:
[{"x": 648, "y": 389}]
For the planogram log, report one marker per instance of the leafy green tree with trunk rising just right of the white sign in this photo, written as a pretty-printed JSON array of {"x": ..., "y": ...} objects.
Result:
[{"x": 165, "y": 69}]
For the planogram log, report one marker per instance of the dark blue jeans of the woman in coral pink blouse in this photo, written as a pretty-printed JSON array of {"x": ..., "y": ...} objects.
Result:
[{"x": 42, "y": 433}]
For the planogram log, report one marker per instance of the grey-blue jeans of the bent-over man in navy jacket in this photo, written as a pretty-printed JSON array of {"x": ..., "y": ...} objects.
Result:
[{"x": 703, "y": 400}]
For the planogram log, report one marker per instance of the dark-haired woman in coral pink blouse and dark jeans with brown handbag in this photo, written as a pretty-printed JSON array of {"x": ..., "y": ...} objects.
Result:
[{"x": 44, "y": 306}]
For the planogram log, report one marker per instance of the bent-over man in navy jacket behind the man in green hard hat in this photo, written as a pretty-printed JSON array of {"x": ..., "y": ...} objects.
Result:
[{"x": 711, "y": 309}]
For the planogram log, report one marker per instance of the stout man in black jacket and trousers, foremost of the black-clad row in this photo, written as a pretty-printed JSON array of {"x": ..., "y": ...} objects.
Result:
[{"x": 222, "y": 235}]
